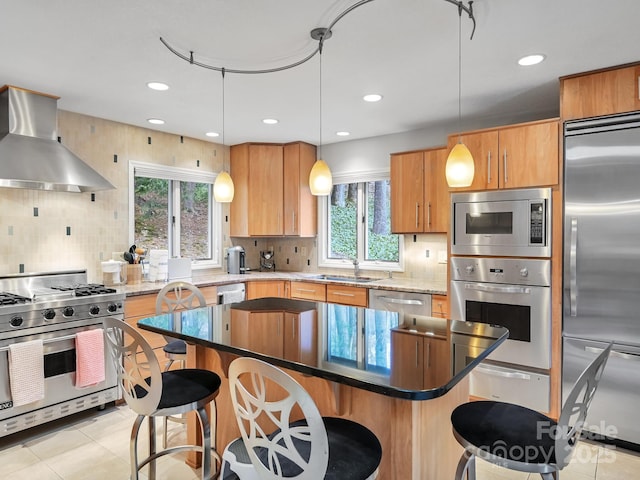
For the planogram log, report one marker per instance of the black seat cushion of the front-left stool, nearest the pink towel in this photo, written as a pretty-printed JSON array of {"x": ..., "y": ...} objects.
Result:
[{"x": 184, "y": 386}]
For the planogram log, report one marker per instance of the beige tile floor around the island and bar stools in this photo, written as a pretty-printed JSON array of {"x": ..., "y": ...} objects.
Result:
[{"x": 95, "y": 445}]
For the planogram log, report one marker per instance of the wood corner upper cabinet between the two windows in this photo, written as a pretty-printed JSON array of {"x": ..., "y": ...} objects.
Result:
[{"x": 272, "y": 195}]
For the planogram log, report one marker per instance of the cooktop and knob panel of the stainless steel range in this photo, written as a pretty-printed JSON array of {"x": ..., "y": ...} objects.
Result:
[{"x": 53, "y": 300}]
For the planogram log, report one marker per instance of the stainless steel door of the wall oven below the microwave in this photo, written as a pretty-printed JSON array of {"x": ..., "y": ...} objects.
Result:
[{"x": 524, "y": 310}]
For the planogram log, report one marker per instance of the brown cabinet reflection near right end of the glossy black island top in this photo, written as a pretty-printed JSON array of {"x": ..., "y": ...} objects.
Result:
[{"x": 419, "y": 361}]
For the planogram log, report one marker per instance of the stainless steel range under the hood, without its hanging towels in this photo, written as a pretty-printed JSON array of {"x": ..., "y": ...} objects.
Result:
[{"x": 53, "y": 307}]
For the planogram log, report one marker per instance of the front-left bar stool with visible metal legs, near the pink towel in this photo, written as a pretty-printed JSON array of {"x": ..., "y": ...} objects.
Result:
[{"x": 152, "y": 393}]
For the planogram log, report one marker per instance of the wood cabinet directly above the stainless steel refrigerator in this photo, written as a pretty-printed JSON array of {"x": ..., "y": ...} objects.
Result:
[{"x": 603, "y": 92}]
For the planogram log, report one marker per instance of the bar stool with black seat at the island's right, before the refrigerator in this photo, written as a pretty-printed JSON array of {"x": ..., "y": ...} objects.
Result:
[{"x": 518, "y": 438}]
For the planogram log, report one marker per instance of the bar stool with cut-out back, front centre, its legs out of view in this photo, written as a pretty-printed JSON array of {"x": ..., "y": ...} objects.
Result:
[{"x": 266, "y": 399}]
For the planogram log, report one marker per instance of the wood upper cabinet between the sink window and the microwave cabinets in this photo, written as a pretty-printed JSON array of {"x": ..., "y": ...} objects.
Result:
[{"x": 419, "y": 192}]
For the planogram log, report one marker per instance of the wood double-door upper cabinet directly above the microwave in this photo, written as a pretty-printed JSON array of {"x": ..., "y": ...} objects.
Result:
[{"x": 514, "y": 156}]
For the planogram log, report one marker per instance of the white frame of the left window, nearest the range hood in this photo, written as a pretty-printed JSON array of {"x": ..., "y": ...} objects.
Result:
[{"x": 165, "y": 172}]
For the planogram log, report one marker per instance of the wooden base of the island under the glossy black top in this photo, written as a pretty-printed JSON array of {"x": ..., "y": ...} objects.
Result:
[{"x": 416, "y": 437}]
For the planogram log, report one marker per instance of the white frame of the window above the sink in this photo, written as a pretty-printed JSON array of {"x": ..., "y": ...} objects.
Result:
[{"x": 324, "y": 228}]
